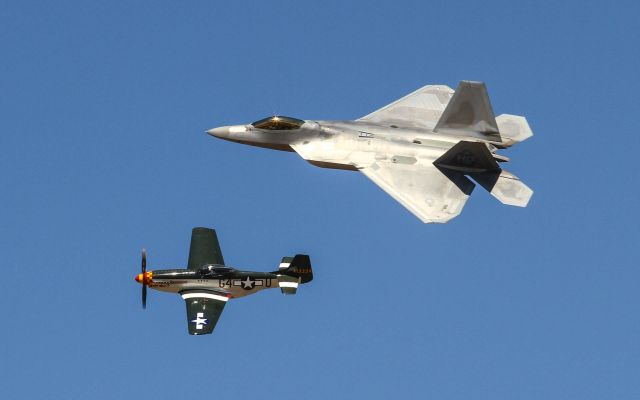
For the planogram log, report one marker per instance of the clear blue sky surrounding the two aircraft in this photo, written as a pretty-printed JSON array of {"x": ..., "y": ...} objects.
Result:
[{"x": 103, "y": 109}]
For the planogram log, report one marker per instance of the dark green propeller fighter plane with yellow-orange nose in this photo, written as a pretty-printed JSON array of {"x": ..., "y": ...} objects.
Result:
[{"x": 207, "y": 283}]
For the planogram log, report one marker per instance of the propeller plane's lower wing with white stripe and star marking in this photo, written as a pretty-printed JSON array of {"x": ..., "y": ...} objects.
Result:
[{"x": 203, "y": 310}]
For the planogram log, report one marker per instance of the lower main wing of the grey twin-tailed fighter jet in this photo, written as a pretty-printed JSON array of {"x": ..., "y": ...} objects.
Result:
[{"x": 432, "y": 195}]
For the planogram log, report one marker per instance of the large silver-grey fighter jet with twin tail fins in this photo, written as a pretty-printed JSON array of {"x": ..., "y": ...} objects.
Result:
[{"x": 424, "y": 149}]
